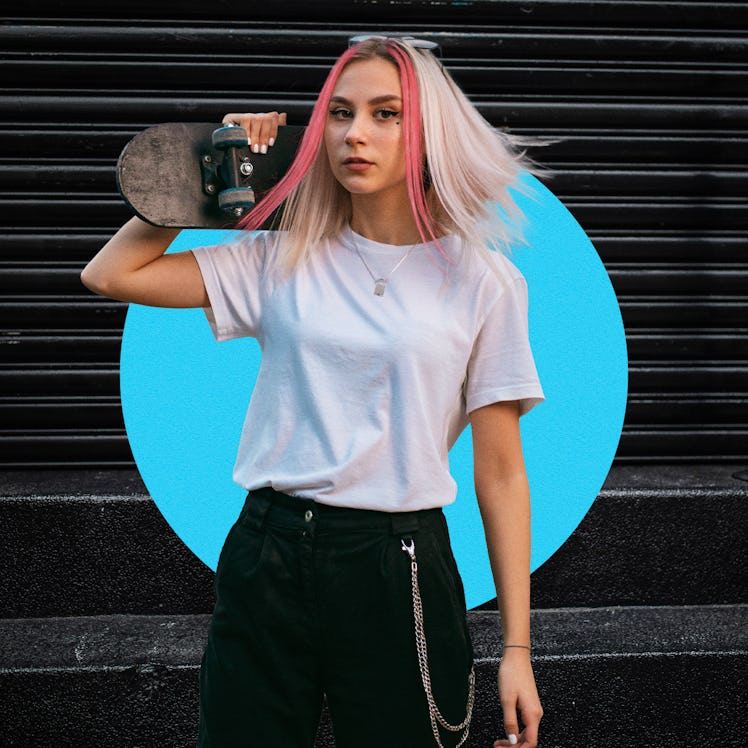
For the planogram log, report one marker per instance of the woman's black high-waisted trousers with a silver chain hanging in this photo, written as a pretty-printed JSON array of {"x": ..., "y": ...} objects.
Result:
[{"x": 313, "y": 600}]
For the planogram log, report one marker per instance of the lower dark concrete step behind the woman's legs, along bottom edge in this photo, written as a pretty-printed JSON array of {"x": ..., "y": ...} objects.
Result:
[{"x": 670, "y": 677}]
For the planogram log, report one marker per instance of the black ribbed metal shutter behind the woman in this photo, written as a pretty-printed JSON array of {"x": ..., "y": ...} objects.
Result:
[{"x": 647, "y": 99}]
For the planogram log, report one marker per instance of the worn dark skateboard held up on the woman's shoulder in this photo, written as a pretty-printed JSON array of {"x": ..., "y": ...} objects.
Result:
[{"x": 199, "y": 175}]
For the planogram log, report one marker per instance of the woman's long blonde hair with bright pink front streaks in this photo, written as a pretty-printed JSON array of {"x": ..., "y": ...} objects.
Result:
[{"x": 460, "y": 167}]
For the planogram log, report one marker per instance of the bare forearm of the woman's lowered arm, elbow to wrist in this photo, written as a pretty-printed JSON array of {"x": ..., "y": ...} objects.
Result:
[{"x": 505, "y": 508}]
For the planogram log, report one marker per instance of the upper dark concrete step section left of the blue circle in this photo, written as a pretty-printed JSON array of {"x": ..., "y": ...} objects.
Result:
[{"x": 85, "y": 542}]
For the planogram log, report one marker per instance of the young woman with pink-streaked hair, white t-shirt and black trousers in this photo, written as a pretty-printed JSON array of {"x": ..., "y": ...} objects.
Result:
[{"x": 386, "y": 325}]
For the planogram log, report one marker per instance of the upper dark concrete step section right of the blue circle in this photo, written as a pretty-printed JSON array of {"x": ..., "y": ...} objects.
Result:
[{"x": 656, "y": 535}]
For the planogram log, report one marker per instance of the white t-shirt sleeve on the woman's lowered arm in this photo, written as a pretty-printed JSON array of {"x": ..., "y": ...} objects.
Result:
[{"x": 501, "y": 366}]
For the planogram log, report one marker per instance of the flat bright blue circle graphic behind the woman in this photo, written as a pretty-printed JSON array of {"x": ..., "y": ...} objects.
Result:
[{"x": 184, "y": 398}]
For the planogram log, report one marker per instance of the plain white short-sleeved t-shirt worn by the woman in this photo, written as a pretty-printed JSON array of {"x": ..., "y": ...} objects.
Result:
[{"x": 360, "y": 397}]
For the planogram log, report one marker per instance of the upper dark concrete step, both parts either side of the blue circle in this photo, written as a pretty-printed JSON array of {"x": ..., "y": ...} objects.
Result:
[{"x": 84, "y": 542}]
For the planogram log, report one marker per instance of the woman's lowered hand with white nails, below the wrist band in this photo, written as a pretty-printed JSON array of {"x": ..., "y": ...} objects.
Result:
[{"x": 517, "y": 692}]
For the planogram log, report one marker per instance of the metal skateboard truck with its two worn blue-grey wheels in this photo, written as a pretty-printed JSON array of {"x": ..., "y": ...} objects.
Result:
[{"x": 229, "y": 177}]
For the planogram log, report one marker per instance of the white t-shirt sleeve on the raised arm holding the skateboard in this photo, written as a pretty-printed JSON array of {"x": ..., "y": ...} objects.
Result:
[{"x": 233, "y": 277}]
